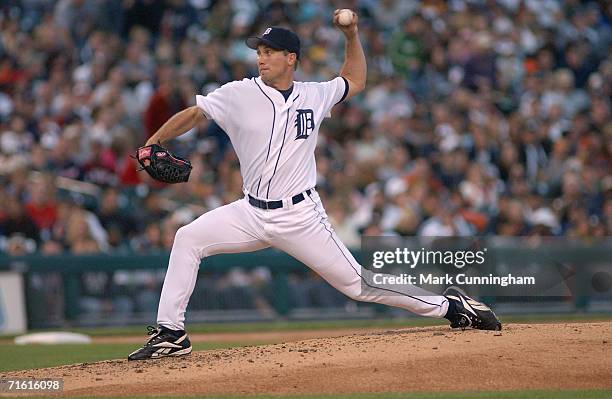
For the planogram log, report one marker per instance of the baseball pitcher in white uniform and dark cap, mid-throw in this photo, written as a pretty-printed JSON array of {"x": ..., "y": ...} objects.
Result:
[{"x": 273, "y": 123}]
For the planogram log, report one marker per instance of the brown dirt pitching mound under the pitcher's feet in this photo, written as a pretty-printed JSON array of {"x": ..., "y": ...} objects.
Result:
[{"x": 536, "y": 356}]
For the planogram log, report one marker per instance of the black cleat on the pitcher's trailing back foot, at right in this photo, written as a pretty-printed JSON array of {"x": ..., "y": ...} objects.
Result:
[{"x": 464, "y": 312}]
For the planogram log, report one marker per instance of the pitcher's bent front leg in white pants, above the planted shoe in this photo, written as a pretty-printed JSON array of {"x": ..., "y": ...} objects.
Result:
[{"x": 228, "y": 229}]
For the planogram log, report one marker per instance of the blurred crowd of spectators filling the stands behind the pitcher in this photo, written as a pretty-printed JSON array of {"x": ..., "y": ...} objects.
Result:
[{"x": 479, "y": 117}]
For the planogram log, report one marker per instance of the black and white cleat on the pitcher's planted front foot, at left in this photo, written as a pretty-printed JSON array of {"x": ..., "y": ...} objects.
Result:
[{"x": 163, "y": 342}]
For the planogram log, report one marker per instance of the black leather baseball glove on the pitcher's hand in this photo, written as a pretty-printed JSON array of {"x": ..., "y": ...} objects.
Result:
[{"x": 162, "y": 165}]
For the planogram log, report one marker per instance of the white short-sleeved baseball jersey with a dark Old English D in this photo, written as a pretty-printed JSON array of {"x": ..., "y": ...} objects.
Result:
[{"x": 274, "y": 139}]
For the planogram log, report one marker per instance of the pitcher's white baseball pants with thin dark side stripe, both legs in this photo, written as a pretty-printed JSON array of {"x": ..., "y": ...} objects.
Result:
[{"x": 301, "y": 230}]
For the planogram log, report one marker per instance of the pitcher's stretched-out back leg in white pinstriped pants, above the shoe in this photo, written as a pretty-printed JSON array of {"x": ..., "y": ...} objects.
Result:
[{"x": 314, "y": 242}]
